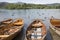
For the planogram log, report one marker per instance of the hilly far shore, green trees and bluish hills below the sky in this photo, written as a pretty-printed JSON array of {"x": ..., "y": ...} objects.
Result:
[{"x": 22, "y": 5}]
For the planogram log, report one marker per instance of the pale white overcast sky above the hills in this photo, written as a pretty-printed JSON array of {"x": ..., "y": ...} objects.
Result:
[{"x": 33, "y": 1}]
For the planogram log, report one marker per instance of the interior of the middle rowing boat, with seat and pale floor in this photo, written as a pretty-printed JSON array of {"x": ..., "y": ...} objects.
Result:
[{"x": 35, "y": 31}]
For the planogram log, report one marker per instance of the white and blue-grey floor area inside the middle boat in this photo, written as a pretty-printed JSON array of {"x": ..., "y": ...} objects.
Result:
[{"x": 36, "y": 34}]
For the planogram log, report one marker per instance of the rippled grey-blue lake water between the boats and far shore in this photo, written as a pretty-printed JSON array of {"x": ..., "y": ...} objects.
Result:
[{"x": 29, "y": 15}]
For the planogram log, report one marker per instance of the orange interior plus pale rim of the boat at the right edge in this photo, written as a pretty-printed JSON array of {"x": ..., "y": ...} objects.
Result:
[{"x": 55, "y": 25}]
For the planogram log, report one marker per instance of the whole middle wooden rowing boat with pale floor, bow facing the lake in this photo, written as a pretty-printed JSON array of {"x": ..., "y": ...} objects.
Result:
[{"x": 36, "y": 30}]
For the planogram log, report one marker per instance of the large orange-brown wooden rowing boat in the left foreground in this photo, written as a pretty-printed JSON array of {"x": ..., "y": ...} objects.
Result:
[{"x": 8, "y": 32}]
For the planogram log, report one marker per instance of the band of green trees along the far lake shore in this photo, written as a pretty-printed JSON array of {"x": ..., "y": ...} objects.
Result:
[{"x": 29, "y": 6}]
